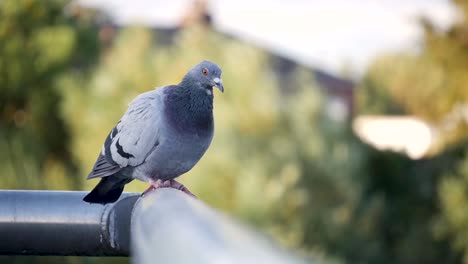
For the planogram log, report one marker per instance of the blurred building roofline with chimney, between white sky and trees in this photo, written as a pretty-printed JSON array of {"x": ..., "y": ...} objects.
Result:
[{"x": 338, "y": 91}]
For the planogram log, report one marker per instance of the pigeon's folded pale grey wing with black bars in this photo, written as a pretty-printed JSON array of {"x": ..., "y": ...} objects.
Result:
[{"x": 133, "y": 138}]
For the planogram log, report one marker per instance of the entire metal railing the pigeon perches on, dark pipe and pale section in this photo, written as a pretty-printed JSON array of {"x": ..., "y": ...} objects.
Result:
[{"x": 165, "y": 226}]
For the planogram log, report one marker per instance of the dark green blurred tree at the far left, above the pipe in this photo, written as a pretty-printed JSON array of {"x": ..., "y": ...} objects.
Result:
[{"x": 37, "y": 45}]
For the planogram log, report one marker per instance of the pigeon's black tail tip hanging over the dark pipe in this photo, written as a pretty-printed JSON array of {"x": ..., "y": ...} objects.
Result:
[{"x": 108, "y": 190}]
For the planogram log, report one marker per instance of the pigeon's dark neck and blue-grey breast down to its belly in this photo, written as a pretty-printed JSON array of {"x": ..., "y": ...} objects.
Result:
[{"x": 185, "y": 133}]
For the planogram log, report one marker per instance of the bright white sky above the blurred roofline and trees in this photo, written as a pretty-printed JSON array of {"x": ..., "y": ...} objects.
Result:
[{"x": 328, "y": 34}]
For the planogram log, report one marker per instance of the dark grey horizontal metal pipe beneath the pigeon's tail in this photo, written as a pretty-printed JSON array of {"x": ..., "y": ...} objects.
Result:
[{"x": 60, "y": 223}]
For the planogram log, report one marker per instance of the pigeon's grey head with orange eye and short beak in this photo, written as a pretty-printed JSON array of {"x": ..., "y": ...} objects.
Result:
[{"x": 207, "y": 74}]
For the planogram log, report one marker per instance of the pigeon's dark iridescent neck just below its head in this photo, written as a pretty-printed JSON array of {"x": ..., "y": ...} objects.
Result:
[{"x": 190, "y": 110}]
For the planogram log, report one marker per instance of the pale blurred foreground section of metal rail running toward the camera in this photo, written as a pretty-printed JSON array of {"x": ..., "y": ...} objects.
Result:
[{"x": 171, "y": 227}]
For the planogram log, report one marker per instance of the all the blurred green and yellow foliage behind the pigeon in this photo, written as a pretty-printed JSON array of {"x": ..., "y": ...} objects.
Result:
[{"x": 276, "y": 161}]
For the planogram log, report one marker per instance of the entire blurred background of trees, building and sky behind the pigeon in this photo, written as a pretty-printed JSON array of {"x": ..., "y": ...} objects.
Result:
[{"x": 342, "y": 132}]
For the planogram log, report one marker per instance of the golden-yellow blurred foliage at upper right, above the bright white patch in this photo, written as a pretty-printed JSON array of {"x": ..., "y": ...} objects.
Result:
[{"x": 432, "y": 85}]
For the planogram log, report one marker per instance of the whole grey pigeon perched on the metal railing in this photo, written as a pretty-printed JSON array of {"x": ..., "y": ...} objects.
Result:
[{"x": 162, "y": 135}]
